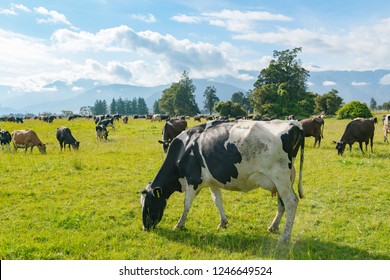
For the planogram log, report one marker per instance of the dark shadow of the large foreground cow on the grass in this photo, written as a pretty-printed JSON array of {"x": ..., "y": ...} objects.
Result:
[{"x": 265, "y": 246}]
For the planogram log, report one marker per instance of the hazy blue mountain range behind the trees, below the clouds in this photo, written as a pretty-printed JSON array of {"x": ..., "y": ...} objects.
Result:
[{"x": 58, "y": 96}]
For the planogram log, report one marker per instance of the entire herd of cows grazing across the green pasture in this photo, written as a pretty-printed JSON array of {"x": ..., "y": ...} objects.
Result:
[{"x": 240, "y": 155}]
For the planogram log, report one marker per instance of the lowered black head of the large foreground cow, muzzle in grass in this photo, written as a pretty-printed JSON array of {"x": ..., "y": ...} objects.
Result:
[{"x": 153, "y": 204}]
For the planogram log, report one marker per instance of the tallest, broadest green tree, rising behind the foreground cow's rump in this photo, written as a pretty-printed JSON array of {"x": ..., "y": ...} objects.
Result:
[{"x": 284, "y": 85}]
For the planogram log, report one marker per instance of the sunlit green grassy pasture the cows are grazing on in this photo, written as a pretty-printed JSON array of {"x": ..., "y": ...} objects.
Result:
[{"x": 85, "y": 204}]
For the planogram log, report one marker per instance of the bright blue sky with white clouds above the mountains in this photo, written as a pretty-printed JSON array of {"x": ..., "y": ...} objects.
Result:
[{"x": 150, "y": 42}]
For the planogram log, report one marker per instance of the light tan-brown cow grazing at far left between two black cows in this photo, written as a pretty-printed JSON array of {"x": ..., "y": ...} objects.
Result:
[{"x": 27, "y": 139}]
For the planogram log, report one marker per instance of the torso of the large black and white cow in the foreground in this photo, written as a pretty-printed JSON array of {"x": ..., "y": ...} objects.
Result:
[{"x": 233, "y": 152}]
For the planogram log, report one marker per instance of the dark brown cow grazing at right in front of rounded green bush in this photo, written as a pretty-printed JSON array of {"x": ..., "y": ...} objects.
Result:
[{"x": 360, "y": 131}]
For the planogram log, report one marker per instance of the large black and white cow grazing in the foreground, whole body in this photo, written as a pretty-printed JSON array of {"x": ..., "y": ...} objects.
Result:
[{"x": 239, "y": 156}]
